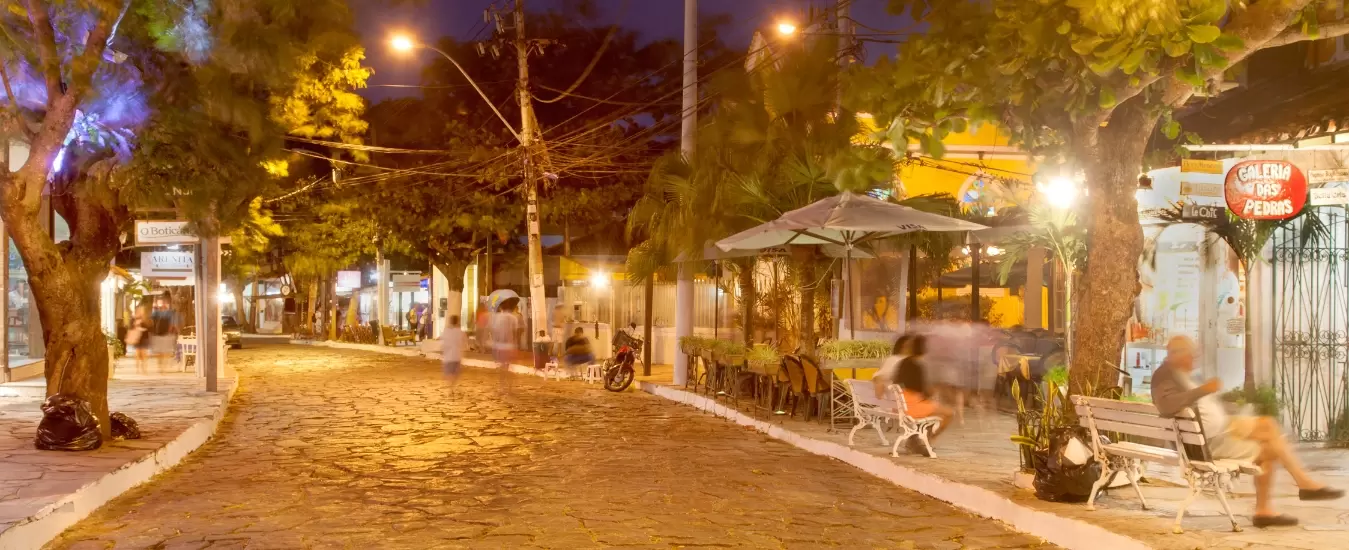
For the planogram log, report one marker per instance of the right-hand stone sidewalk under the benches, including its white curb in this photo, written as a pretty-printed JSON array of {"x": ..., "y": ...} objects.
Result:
[{"x": 981, "y": 456}]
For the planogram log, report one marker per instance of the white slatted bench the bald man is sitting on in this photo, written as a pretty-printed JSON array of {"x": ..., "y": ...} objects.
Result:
[{"x": 1142, "y": 420}]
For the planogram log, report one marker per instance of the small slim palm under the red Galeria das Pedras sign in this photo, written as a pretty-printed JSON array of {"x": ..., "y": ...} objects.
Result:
[{"x": 1247, "y": 239}]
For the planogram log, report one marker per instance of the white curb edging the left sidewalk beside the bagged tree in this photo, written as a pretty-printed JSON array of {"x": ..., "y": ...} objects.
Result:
[{"x": 53, "y": 520}]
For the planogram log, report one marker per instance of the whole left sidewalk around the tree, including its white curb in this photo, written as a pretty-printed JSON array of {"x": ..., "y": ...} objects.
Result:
[{"x": 42, "y": 493}]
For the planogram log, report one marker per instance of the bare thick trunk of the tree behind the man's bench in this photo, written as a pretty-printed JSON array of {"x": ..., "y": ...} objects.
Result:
[{"x": 1112, "y": 158}]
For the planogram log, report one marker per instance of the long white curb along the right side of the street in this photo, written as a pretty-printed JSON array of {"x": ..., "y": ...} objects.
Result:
[{"x": 1056, "y": 529}]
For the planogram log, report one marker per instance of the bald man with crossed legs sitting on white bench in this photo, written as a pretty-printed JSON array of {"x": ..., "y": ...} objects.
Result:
[{"x": 1247, "y": 439}]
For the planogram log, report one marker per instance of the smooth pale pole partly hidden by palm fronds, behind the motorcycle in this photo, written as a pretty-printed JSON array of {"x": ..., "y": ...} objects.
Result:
[{"x": 689, "y": 127}]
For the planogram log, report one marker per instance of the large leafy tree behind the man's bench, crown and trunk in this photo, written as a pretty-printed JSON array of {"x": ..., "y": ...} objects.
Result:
[{"x": 1091, "y": 84}]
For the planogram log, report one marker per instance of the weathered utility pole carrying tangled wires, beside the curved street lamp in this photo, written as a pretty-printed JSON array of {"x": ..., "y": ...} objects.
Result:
[{"x": 538, "y": 297}]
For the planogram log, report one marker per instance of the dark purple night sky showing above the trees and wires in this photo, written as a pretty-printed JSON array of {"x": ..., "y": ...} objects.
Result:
[{"x": 654, "y": 20}]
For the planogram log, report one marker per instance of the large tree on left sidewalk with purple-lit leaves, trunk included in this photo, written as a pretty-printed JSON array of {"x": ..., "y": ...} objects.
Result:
[{"x": 144, "y": 104}]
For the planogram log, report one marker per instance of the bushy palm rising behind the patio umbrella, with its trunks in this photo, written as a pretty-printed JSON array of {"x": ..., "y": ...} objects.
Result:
[{"x": 776, "y": 142}]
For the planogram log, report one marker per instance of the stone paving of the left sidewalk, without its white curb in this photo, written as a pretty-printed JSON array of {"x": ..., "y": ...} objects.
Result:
[{"x": 164, "y": 405}]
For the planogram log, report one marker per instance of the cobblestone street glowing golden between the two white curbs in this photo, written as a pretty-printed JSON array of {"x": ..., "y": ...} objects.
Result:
[{"x": 343, "y": 450}]
